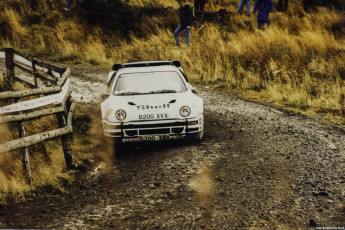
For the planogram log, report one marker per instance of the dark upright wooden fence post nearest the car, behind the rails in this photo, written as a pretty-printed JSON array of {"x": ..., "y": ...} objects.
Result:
[{"x": 66, "y": 143}]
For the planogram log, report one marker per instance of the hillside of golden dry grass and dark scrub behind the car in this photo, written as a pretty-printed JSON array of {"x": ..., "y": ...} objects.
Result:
[{"x": 298, "y": 62}]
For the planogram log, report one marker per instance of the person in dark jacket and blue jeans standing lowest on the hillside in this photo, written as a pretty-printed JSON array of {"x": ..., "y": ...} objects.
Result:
[{"x": 186, "y": 19}]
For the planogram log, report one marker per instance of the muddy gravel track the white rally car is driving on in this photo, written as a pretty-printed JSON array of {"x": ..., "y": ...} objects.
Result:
[{"x": 257, "y": 167}]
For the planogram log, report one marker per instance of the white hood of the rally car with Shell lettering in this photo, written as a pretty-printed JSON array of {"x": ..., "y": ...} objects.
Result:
[{"x": 166, "y": 105}]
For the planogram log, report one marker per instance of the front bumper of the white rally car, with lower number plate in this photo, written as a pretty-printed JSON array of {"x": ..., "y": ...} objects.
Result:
[{"x": 155, "y": 130}]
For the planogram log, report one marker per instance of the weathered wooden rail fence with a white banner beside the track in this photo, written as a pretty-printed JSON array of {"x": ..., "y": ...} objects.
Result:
[{"x": 50, "y": 90}]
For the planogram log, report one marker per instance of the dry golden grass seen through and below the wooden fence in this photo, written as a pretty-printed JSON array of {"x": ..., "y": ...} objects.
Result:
[{"x": 46, "y": 161}]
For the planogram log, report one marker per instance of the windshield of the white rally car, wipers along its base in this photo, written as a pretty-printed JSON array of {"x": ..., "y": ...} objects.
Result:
[{"x": 149, "y": 83}]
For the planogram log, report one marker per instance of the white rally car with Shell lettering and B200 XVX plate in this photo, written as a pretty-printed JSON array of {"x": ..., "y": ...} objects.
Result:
[{"x": 151, "y": 101}]
